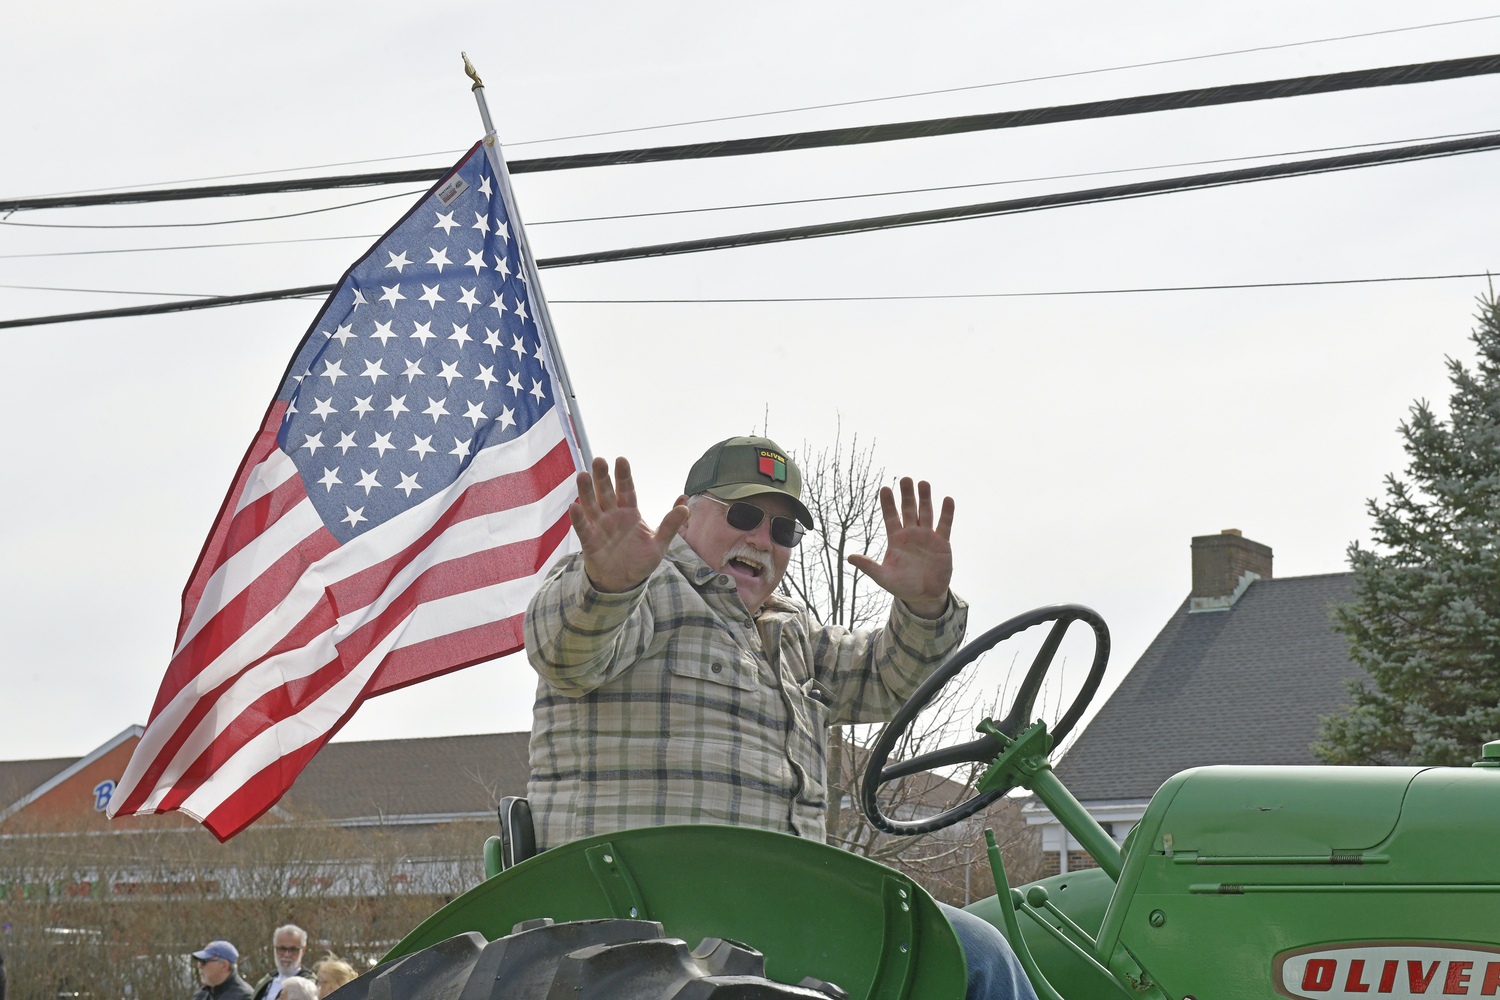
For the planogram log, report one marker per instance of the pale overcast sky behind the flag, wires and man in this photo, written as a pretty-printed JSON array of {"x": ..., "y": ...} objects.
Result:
[{"x": 1085, "y": 439}]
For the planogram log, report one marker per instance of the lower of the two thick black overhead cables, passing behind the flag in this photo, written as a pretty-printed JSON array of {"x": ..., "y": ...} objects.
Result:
[{"x": 1118, "y": 193}]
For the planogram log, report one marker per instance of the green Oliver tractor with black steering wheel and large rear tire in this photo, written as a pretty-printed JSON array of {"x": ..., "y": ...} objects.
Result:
[{"x": 1238, "y": 882}]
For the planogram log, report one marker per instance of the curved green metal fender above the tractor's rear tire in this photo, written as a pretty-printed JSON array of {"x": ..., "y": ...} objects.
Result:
[{"x": 815, "y": 911}]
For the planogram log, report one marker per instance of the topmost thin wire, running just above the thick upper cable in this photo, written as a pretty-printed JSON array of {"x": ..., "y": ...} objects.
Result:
[{"x": 818, "y": 107}]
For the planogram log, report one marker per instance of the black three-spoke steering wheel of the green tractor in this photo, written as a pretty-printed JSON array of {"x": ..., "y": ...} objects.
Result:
[{"x": 988, "y": 747}]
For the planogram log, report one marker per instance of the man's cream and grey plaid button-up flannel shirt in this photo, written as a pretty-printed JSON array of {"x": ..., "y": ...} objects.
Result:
[{"x": 668, "y": 704}]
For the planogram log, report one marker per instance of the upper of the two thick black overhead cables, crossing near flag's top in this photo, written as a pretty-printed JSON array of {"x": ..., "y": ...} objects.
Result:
[{"x": 1175, "y": 101}]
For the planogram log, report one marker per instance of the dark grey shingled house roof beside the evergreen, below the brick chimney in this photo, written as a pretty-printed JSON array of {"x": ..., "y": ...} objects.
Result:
[{"x": 1241, "y": 686}]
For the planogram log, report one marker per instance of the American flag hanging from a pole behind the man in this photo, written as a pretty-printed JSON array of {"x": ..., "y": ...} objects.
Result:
[{"x": 391, "y": 521}]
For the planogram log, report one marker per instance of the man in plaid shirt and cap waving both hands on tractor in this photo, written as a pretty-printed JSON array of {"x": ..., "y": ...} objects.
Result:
[{"x": 677, "y": 686}]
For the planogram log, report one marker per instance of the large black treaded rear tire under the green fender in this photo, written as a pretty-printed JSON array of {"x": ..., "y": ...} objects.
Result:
[{"x": 581, "y": 960}]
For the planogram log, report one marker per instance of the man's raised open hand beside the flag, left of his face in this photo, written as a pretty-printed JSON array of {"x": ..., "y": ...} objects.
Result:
[{"x": 620, "y": 549}]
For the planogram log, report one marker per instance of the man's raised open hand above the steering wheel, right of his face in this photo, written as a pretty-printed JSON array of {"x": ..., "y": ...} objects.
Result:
[{"x": 919, "y": 560}]
